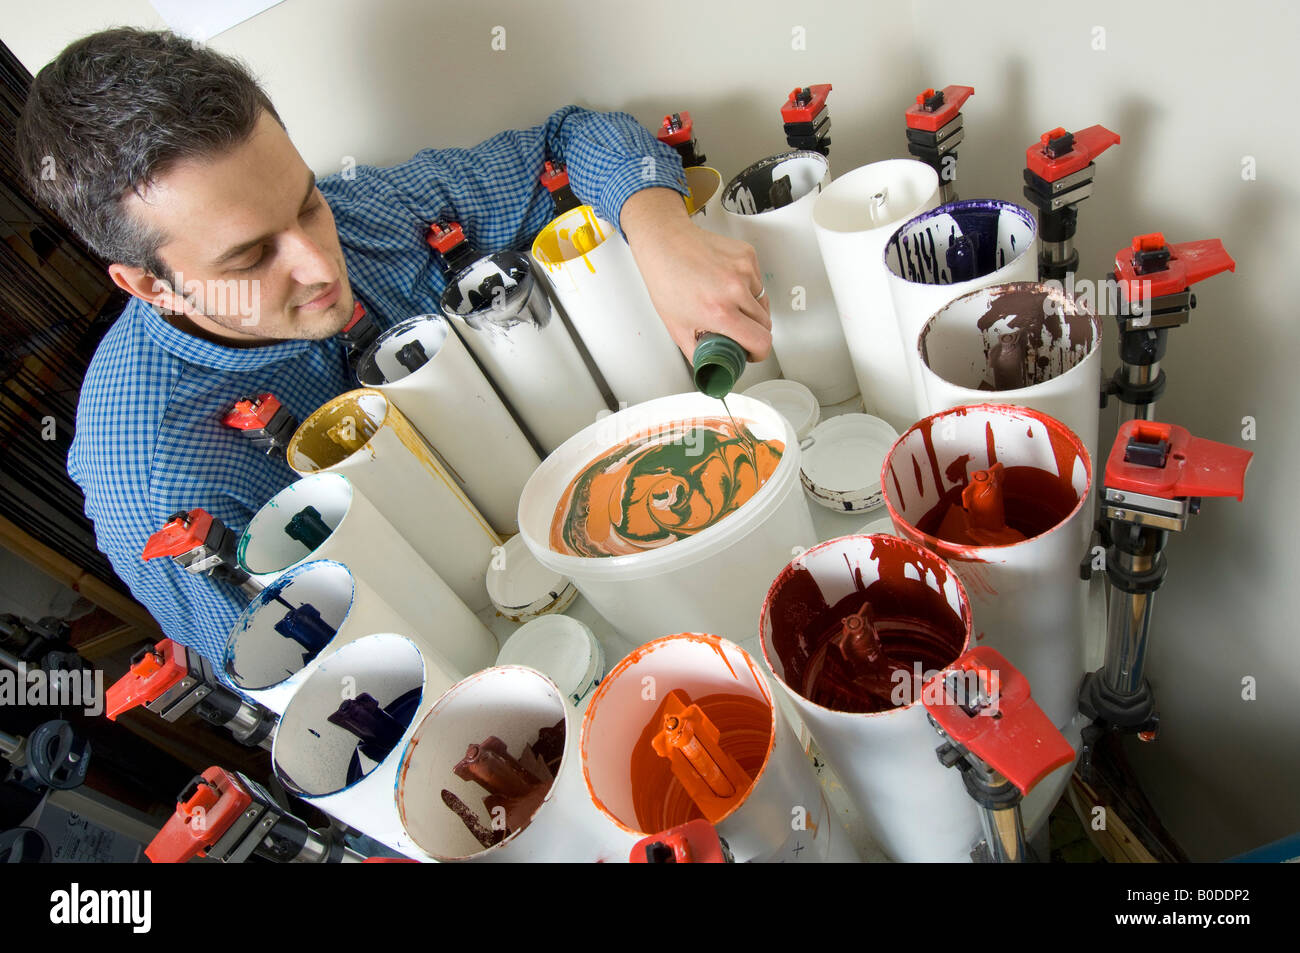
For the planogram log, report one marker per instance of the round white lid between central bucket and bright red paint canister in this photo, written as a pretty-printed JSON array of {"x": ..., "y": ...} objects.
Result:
[{"x": 842, "y": 461}]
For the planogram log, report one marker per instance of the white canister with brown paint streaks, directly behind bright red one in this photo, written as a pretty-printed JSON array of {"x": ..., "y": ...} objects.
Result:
[{"x": 1024, "y": 344}]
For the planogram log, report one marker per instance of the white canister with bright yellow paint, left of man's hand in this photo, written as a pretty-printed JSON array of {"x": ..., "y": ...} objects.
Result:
[{"x": 596, "y": 279}]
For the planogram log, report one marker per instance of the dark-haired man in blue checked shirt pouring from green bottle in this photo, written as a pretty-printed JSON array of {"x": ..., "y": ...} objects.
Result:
[{"x": 172, "y": 163}]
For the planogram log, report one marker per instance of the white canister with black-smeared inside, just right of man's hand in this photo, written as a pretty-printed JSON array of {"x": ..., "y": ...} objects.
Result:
[{"x": 807, "y": 333}]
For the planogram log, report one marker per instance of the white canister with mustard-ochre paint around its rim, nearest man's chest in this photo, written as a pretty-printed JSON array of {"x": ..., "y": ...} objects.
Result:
[{"x": 363, "y": 436}]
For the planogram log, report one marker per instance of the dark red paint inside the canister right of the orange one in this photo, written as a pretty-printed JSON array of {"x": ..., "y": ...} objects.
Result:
[{"x": 861, "y": 655}]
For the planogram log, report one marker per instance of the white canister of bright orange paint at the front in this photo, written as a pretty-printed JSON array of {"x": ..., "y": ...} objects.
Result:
[{"x": 775, "y": 809}]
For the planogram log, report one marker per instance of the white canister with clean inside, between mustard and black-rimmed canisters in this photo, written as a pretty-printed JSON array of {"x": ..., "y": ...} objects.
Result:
[{"x": 423, "y": 367}]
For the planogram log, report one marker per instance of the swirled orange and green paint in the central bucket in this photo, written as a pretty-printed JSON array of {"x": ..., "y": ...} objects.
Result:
[{"x": 661, "y": 487}]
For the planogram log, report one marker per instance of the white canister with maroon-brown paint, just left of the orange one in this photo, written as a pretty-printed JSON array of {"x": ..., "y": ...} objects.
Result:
[{"x": 513, "y": 704}]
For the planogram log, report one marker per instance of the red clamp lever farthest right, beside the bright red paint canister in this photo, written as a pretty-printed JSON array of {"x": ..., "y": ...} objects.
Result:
[{"x": 1165, "y": 461}]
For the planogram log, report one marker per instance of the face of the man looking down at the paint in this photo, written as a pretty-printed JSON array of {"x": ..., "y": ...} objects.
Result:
[{"x": 250, "y": 244}]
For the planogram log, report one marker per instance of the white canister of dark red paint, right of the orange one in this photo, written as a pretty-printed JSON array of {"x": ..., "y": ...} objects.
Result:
[{"x": 885, "y": 756}]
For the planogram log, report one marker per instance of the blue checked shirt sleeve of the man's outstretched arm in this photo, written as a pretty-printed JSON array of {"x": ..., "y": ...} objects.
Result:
[{"x": 493, "y": 190}]
